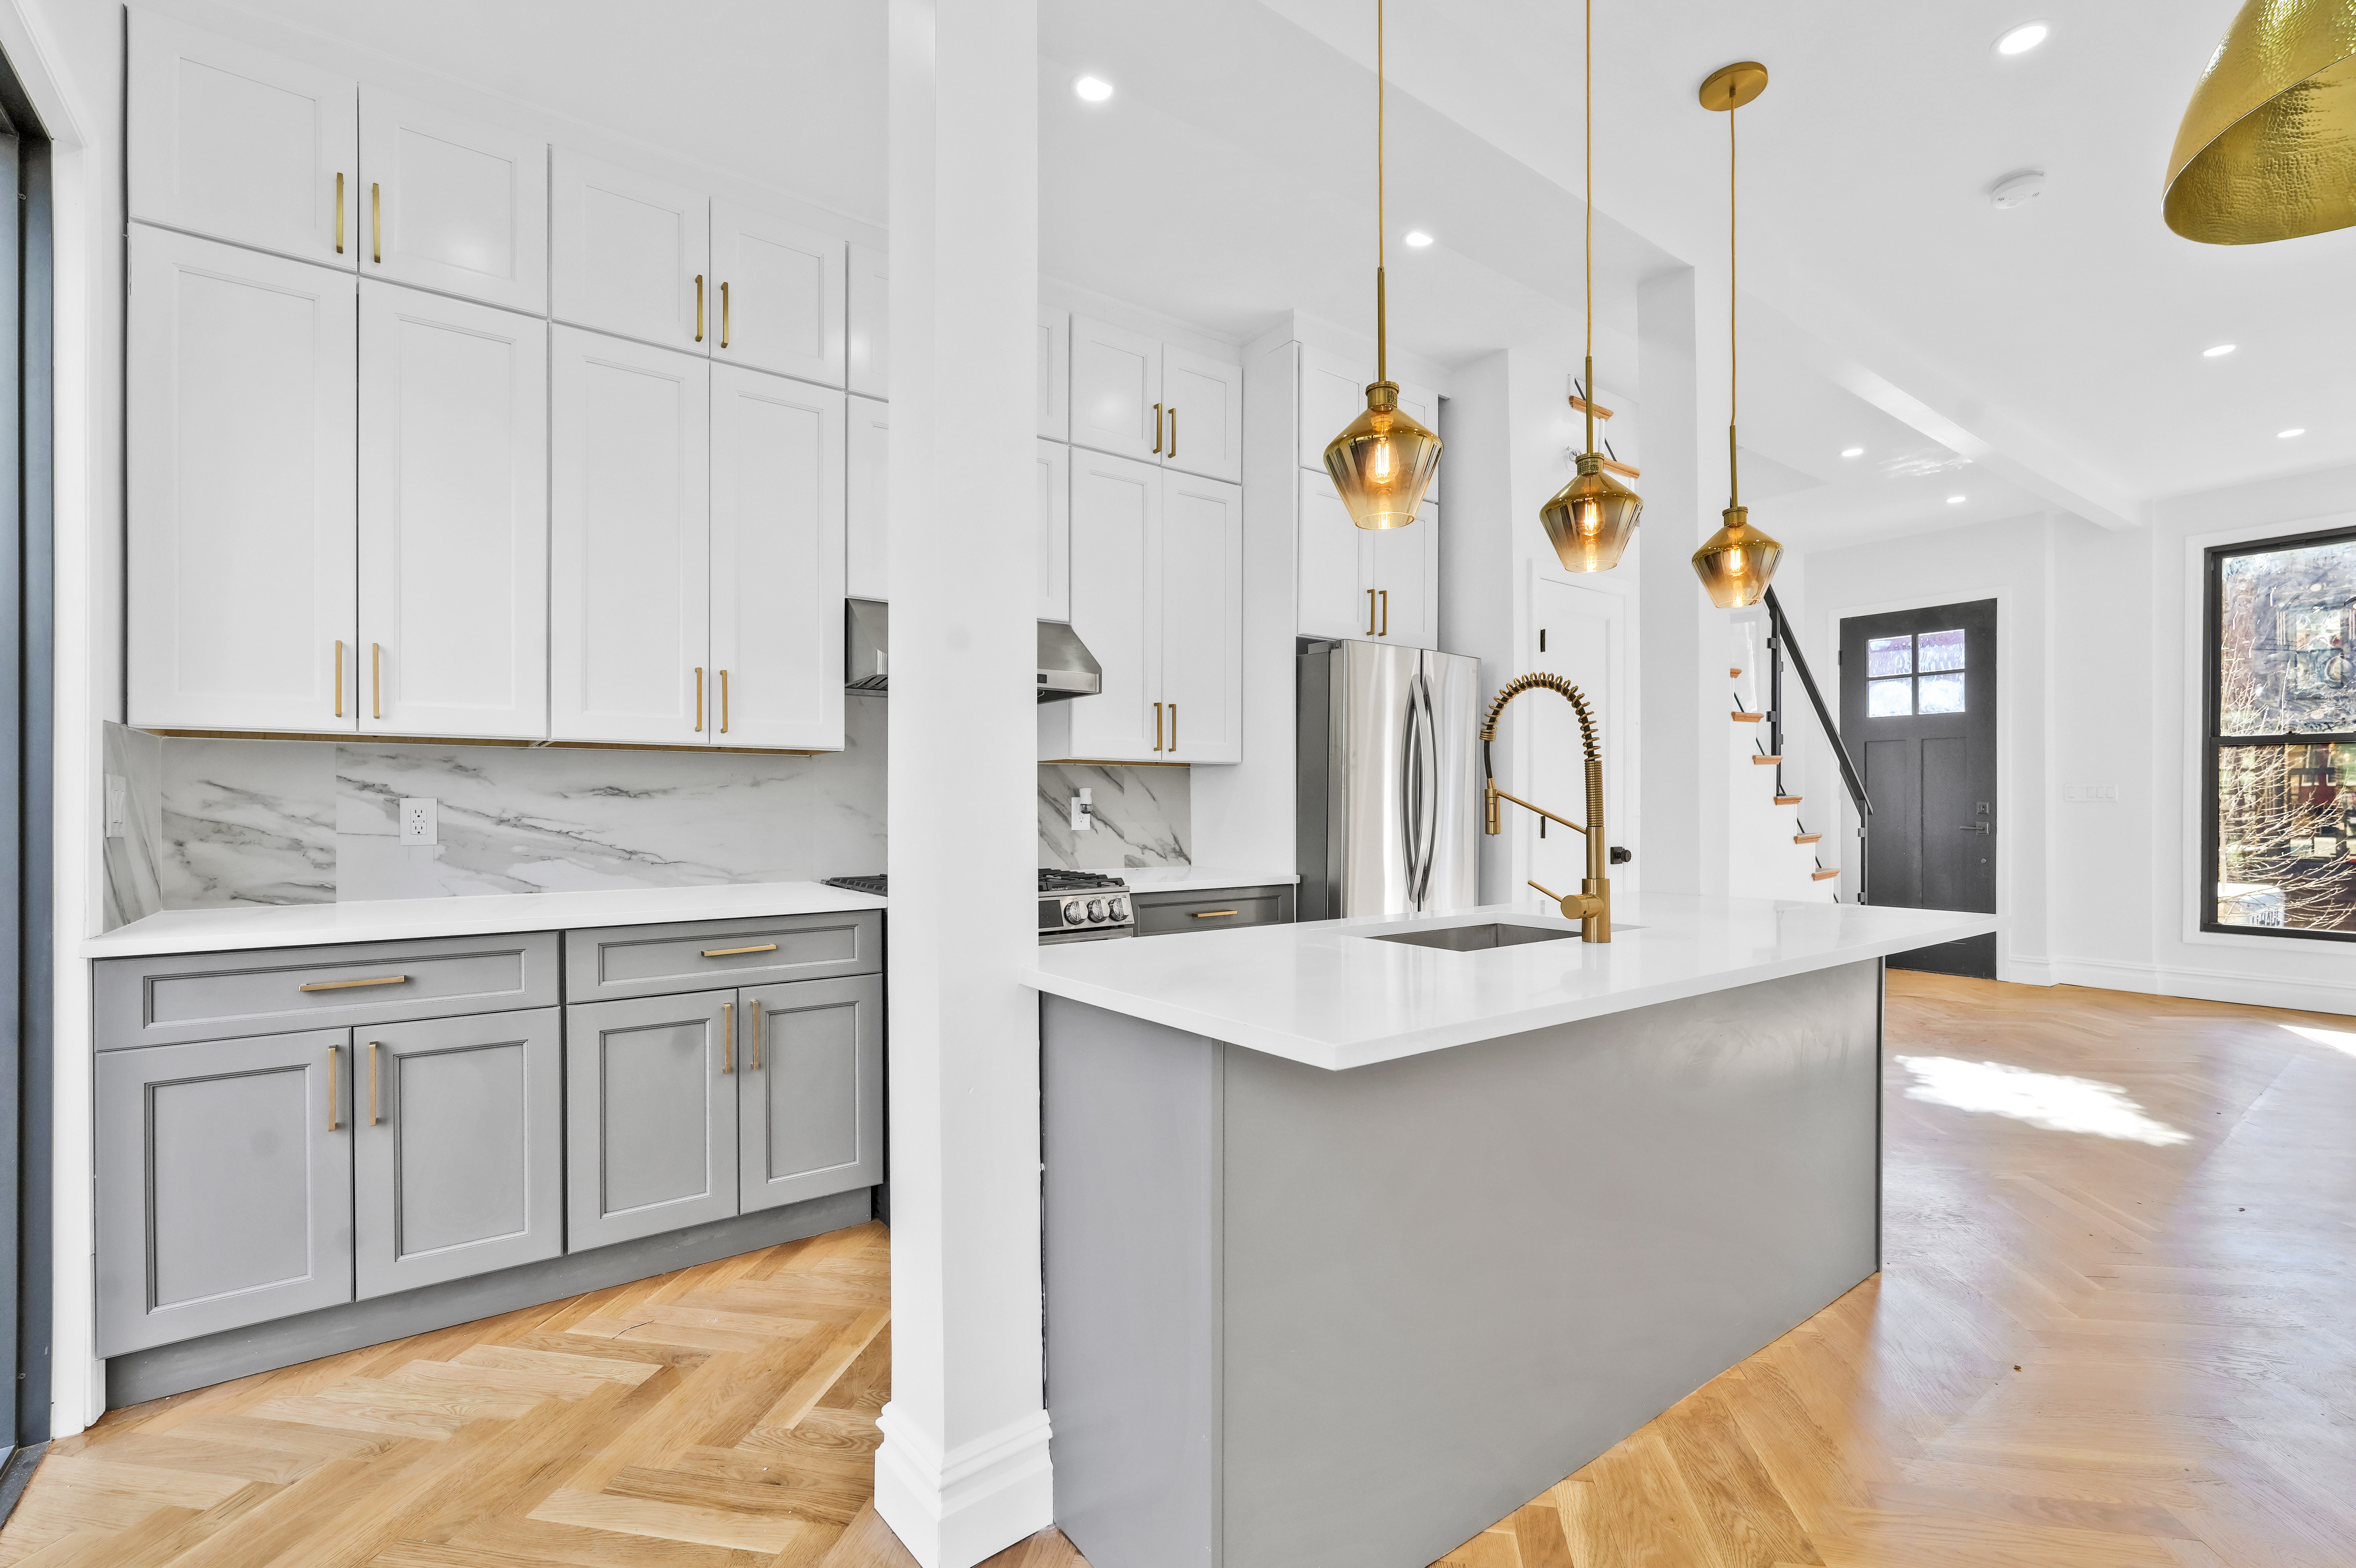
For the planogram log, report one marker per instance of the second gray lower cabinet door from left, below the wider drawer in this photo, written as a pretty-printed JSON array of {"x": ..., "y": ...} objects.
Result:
[{"x": 458, "y": 1148}]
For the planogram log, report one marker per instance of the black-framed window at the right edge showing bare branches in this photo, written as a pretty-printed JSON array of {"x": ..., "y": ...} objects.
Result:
[{"x": 2282, "y": 738}]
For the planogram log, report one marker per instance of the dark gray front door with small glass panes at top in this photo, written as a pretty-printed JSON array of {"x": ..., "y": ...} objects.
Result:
[{"x": 1919, "y": 712}]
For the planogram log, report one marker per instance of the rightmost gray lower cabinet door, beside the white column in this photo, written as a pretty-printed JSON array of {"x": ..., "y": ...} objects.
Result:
[{"x": 812, "y": 1103}]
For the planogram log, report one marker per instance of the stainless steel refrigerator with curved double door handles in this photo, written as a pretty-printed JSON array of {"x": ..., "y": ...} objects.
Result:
[{"x": 1389, "y": 780}]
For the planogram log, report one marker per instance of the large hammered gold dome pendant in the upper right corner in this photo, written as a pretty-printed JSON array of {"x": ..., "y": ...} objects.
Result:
[{"x": 2268, "y": 150}]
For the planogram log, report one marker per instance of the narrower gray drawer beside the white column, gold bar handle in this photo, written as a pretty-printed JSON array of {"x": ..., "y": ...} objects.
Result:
[{"x": 623, "y": 962}]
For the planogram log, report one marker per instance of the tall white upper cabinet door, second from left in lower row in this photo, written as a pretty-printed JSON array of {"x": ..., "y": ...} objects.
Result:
[{"x": 454, "y": 517}]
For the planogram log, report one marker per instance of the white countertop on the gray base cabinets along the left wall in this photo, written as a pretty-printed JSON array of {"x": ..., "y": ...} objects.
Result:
[{"x": 213, "y": 931}]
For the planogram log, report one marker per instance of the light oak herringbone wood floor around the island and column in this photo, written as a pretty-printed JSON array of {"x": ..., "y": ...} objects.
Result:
[{"x": 2084, "y": 1355}]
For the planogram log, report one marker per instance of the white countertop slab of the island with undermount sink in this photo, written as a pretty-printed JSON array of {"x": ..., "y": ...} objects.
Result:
[{"x": 1335, "y": 997}]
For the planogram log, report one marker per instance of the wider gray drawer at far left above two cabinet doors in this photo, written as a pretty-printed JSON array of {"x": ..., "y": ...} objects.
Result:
[{"x": 206, "y": 997}]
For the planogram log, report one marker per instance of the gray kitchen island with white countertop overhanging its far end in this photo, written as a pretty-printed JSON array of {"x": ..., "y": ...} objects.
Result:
[{"x": 1365, "y": 1233}]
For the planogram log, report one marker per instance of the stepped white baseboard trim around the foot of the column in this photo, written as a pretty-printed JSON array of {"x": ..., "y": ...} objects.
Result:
[{"x": 958, "y": 1508}]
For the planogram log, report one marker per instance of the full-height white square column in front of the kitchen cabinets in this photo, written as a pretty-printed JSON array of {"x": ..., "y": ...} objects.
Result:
[{"x": 965, "y": 1461}]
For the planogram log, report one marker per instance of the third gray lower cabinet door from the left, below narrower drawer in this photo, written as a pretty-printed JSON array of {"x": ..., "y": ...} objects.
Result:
[{"x": 651, "y": 1117}]
